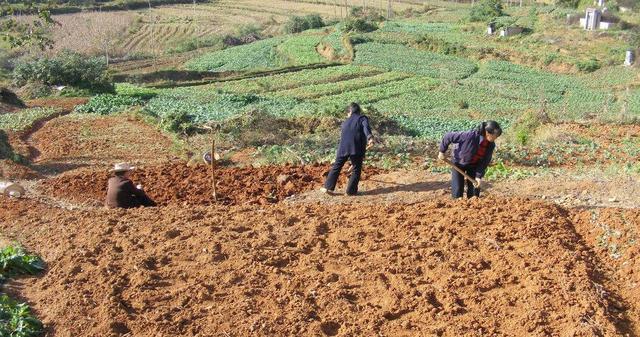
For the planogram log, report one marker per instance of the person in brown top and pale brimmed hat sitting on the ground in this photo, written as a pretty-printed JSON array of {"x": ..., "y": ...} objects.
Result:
[{"x": 120, "y": 190}]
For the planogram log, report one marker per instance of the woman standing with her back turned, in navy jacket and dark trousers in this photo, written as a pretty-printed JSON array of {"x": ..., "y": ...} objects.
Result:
[{"x": 355, "y": 136}]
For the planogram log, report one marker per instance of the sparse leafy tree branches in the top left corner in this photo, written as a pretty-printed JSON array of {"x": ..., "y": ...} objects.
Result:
[{"x": 22, "y": 33}]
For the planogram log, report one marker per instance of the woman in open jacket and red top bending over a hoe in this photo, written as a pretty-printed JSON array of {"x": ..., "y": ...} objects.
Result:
[{"x": 472, "y": 153}]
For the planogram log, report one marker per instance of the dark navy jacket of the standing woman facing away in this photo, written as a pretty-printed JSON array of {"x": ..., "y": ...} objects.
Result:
[{"x": 354, "y": 136}]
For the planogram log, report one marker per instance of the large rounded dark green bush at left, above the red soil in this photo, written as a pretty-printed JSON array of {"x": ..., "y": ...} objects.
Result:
[{"x": 67, "y": 68}]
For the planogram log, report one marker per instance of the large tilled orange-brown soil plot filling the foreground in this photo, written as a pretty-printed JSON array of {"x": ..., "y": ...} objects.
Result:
[{"x": 485, "y": 267}]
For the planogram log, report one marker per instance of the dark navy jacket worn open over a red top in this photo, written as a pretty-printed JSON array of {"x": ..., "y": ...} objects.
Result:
[{"x": 467, "y": 146}]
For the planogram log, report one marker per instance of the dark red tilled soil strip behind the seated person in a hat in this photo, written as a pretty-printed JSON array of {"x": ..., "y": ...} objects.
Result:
[{"x": 177, "y": 183}]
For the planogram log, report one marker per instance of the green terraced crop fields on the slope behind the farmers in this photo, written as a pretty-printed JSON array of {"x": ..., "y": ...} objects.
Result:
[{"x": 427, "y": 93}]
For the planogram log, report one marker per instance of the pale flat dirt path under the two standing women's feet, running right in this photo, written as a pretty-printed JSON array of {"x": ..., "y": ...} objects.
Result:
[{"x": 565, "y": 190}]
